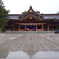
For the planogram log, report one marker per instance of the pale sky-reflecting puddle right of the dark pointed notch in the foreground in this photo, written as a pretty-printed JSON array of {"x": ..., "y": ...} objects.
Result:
[{"x": 46, "y": 54}]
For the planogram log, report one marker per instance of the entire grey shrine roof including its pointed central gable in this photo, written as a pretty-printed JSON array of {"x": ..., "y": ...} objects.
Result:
[{"x": 32, "y": 13}]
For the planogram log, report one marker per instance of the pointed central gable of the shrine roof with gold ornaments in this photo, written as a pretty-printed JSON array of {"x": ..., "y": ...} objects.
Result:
[{"x": 30, "y": 13}]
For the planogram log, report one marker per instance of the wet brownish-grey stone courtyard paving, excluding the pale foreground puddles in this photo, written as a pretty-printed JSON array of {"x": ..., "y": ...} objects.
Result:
[{"x": 30, "y": 44}]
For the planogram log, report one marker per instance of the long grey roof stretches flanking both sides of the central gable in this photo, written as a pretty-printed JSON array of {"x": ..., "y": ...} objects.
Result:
[{"x": 45, "y": 16}]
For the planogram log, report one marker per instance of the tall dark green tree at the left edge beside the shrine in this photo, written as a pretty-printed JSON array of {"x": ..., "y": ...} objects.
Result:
[{"x": 3, "y": 15}]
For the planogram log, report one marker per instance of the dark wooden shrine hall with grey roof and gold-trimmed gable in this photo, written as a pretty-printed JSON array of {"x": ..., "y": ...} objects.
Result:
[{"x": 32, "y": 21}]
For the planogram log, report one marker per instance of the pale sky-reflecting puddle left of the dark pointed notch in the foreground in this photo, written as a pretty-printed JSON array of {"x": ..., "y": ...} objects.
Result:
[{"x": 17, "y": 55}]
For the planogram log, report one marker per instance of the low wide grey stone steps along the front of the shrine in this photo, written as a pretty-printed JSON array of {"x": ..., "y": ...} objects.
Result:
[{"x": 29, "y": 32}]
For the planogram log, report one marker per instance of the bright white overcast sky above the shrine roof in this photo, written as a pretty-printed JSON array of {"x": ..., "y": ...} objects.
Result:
[{"x": 44, "y": 6}]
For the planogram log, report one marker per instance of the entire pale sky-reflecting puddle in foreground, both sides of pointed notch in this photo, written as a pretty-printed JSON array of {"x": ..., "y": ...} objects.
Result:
[{"x": 40, "y": 54}]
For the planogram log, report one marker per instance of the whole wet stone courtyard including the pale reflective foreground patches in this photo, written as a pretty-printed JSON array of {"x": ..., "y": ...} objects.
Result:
[{"x": 28, "y": 46}]
